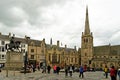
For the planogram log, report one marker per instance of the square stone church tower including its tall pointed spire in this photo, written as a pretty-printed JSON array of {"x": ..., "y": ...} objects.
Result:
[{"x": 86, "y": 43}]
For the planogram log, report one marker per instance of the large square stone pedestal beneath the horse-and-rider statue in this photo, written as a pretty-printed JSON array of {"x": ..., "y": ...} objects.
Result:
[{"x": 14, "y": 60}]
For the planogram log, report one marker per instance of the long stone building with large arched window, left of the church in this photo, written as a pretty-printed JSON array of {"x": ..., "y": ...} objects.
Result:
[{"x": 61, "y": 56}]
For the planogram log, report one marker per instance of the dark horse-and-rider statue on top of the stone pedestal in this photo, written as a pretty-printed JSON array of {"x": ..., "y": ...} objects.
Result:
[{"x": 13, "y": 45}]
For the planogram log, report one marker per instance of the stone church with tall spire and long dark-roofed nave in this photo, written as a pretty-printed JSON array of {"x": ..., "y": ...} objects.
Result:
[{"x": 97, "y": 56}]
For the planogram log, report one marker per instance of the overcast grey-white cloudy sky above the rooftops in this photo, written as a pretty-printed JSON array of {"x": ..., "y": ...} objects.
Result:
[{"x": 61, "y": 20}]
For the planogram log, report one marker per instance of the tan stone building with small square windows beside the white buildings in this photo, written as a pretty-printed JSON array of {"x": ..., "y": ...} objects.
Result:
[{"x": 36, "y": 51}]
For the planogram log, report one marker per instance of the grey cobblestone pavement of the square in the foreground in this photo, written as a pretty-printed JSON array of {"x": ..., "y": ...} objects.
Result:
[{"x": 44, "y": 76}]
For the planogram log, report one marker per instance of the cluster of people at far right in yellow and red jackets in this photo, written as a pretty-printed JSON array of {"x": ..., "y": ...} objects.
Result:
[{"x": 113, "y": 72}]
